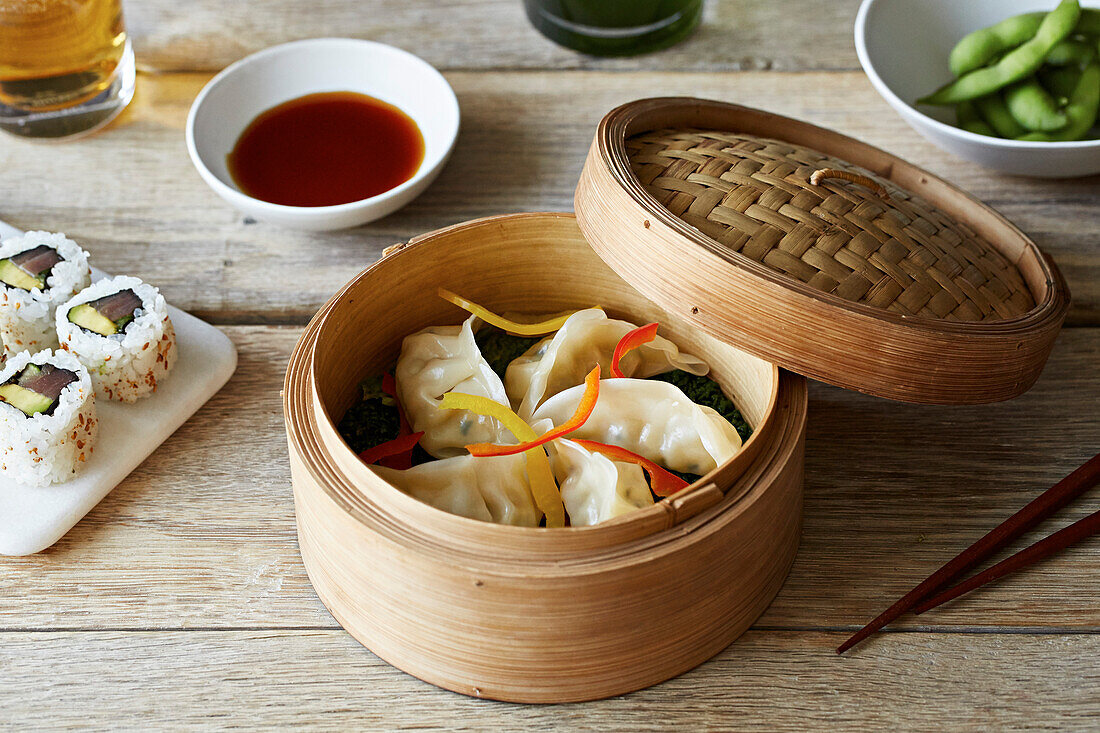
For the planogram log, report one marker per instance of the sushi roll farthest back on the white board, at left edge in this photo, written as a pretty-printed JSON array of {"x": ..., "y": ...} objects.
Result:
[{"x": 39, "y": 271}]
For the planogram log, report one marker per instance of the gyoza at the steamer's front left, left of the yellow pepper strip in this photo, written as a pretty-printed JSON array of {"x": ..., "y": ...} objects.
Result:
[{"x": 488, "y": 489}]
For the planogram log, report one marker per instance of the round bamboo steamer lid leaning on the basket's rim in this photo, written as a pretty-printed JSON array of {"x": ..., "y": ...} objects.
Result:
[{"x": 818, "y": 253}]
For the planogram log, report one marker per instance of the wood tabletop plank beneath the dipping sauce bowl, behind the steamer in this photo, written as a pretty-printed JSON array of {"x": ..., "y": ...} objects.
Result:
[{"x": 133, "y": 198}]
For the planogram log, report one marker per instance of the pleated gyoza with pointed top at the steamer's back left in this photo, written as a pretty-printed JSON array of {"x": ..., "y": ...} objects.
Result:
[{"x": 447, "y": 359}]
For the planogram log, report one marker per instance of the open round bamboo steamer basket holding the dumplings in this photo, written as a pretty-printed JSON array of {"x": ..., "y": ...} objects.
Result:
[{"x": 515, "y": 614}]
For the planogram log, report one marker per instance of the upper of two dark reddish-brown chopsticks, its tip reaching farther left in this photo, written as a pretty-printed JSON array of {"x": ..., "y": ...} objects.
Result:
[{"x": 1042, "y": 507}]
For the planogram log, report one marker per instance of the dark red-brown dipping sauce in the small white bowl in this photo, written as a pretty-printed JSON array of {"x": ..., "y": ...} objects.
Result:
[{"x": 326, "y": 149}]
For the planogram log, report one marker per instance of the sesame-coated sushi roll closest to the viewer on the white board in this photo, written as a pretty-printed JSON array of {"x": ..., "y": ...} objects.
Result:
[{"x": 48, "y": 418}]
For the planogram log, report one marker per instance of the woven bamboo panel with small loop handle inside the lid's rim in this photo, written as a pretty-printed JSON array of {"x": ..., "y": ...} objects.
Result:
[{"x": 867, "y": 242}]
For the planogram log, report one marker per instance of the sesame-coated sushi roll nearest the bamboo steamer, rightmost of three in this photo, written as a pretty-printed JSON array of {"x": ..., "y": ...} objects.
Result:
[{"x": 119, "y": 329}]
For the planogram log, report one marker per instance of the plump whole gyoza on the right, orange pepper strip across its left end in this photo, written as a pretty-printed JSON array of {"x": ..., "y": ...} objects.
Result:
[{"x": 653, "y": 419}]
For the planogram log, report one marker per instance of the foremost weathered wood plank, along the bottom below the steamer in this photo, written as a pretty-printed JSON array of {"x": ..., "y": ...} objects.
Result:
[{"x": 767, "y": 681}]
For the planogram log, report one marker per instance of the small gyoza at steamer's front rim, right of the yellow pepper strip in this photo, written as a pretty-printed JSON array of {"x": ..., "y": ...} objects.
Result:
[{"x": 595, "y": 488}]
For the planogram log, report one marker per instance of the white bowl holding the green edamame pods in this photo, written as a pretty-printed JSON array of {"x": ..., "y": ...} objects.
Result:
[{"x": 904, "y": 47}]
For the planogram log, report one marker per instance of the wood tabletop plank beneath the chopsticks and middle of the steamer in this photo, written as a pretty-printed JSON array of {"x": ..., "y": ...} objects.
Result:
[{"x": 202, "y": 535}]
